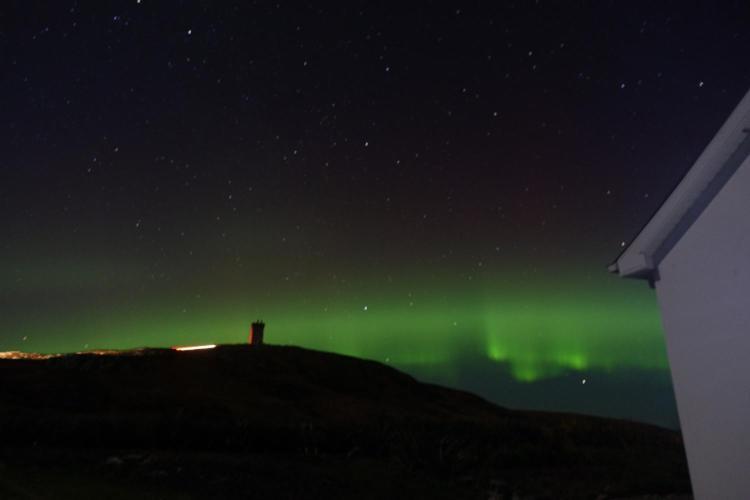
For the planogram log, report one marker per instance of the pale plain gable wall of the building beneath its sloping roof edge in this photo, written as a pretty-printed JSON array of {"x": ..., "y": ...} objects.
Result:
[{"x": 704, "y": 294}]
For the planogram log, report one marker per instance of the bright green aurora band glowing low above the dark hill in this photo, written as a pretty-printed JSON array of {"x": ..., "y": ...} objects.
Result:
[{"x": 538, "y": 330}]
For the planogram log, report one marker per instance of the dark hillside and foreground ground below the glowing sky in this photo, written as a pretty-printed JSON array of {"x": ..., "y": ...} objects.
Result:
[{"x": 284, "y": 422}]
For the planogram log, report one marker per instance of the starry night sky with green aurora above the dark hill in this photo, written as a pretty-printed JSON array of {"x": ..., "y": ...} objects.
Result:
[{"x": 439, "y": 187}]
